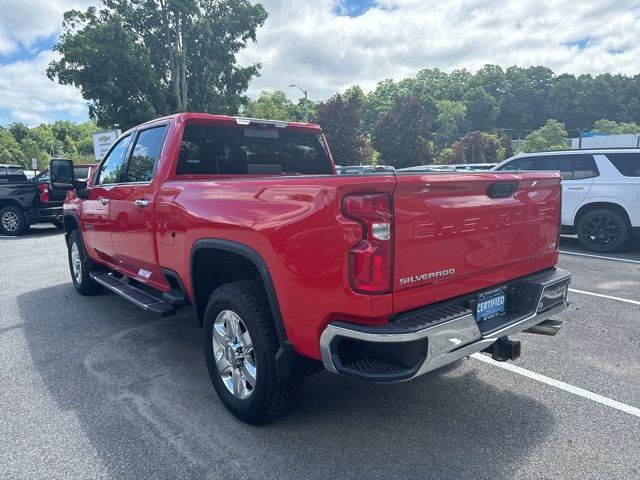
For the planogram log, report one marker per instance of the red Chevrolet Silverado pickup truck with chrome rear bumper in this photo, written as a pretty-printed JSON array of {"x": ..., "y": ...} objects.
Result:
[{"x": 292, "y": 268}]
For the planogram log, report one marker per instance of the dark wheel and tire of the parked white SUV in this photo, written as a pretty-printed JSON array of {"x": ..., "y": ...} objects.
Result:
[{"x": 603, "y": 231}]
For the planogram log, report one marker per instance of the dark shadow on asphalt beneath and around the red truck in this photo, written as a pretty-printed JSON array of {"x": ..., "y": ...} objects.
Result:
[{"x": 139, "y": 388}]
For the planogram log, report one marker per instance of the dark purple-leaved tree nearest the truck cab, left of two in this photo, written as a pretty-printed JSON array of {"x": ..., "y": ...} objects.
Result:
[{"x": 341, "y": 120}]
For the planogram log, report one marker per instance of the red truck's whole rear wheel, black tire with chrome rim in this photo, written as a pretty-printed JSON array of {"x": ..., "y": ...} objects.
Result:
[{"x": 240, "y": 346}]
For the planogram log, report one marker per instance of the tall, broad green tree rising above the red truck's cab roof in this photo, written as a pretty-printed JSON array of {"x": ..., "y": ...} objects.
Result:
[{"x": 136, "y": 59}]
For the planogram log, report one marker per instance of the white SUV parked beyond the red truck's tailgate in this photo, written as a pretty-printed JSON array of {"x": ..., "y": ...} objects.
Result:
[{"x": 600, "y": 193}]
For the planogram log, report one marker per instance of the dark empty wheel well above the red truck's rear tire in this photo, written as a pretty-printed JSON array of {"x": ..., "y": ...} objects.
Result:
[{"x": 213, "y": 268}]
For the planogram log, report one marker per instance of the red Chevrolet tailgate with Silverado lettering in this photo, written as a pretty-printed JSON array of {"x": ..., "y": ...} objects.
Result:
[{"x": 459, "y": 233}]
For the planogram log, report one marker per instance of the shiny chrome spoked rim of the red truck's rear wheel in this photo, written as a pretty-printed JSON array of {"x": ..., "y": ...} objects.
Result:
[{"x": 234, "y": 355}]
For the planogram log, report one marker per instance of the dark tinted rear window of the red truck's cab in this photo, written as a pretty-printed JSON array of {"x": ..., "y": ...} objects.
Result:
[{"x": 218, "y": 150}]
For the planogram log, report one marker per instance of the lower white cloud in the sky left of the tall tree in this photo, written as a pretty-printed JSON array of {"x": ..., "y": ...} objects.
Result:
[{"x": 30, "y": 97}]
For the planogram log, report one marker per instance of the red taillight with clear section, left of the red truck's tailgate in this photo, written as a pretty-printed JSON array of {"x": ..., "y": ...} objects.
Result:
[{"x": 370, "y": 258}]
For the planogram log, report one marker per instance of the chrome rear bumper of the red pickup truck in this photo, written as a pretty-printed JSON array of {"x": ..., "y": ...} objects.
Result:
[{"x": 403, "y": 350}]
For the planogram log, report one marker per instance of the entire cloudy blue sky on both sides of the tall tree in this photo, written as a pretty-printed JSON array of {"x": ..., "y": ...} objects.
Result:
[{"x": 328, "y": 45}]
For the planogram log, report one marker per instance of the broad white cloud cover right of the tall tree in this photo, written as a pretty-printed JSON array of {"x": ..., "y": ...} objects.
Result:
[{"x": 306, "y": 43}]
